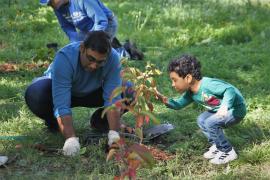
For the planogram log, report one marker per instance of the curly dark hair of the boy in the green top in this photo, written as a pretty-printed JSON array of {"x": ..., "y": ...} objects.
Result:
[{"x": 185, "y": 65}]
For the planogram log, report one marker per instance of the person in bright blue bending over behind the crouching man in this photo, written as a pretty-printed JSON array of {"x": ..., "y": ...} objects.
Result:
[{"x": 78, "y": 17}]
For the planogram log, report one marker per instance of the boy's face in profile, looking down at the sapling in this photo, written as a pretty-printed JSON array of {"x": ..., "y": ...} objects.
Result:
[{"x": 180, "y": 84}]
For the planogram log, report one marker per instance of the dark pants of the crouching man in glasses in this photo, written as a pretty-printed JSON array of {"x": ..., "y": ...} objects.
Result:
[{"x": 38, "y": 97}]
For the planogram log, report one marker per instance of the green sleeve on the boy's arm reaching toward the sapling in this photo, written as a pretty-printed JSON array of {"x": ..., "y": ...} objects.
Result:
[{"x": 179, "y": 103}]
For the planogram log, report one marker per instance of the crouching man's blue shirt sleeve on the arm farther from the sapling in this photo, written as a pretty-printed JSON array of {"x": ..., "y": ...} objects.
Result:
[{"x": 61, "y": 85}]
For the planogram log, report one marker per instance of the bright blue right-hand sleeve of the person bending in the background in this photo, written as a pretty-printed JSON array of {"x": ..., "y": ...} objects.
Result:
[{"x": 95, "y": 12}]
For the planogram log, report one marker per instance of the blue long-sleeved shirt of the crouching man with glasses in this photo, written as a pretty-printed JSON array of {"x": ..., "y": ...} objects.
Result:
[{"x": 69, "y": 78}]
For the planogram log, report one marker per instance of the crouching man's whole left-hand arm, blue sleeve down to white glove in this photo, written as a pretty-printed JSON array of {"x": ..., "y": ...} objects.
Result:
[{"x": 61, "y": 90}]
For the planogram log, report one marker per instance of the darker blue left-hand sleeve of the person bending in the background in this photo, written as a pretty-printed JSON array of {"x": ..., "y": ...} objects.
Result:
[{"x": 67, "y": 27}]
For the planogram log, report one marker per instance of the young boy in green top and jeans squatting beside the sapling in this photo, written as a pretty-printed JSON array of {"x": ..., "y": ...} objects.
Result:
[{"x": 224, "y": 103}]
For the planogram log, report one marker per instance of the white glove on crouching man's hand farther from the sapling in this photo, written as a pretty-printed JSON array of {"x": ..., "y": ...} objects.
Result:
[{"x": 71, "y": 146}]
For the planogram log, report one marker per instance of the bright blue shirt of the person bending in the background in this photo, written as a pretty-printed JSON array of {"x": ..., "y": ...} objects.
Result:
[{"x": 84, "y": 15}]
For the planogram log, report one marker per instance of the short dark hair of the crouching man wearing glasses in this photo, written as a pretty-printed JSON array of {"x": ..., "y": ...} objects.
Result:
[{"x": 98, "y": 41}]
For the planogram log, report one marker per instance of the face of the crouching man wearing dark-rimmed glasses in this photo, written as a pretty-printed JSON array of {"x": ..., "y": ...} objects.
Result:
[{"x": 91, "y": 60}]
